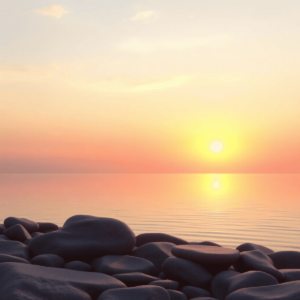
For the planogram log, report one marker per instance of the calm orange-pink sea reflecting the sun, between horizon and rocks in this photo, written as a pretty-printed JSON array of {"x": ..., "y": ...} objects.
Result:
[{"x": 226, "y": 209}]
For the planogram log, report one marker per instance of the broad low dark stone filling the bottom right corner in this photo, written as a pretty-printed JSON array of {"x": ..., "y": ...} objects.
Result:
[{"x": 284, "y": 291}]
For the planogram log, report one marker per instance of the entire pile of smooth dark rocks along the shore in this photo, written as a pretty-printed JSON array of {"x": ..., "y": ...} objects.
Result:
[{"x": 93, "y": 258}]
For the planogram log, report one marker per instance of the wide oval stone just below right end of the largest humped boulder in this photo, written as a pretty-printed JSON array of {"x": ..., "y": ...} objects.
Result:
[{"x": 120, "y": 264}]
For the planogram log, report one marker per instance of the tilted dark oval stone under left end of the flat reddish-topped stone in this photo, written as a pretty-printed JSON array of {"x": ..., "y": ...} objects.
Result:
[{"x": 186, "y": 271}]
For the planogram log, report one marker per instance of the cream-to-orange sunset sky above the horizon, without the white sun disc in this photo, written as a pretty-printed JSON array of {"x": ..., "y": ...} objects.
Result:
[{"x": 130, "y": 86}]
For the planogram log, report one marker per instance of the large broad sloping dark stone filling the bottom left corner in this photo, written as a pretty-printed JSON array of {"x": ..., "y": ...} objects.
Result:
[{"x": 22, "y": 281}]
